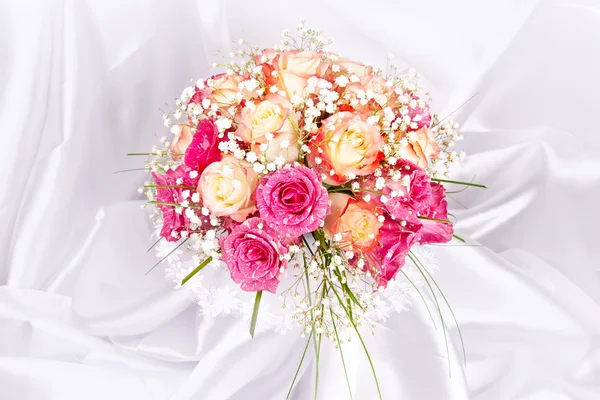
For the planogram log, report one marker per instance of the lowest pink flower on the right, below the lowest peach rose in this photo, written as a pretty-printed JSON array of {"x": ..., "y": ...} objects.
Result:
[{"x": 389, "y": 256}]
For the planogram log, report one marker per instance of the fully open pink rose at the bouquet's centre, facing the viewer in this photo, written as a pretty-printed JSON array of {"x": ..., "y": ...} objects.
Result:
[{"x": 292, "y": 200}]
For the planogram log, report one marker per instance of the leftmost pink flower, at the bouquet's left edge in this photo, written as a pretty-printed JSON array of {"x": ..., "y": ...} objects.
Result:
[{"x": 171, "y": 191}]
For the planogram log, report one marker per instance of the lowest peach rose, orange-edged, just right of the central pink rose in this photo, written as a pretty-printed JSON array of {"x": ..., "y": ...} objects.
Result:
[{"x": 355, "y": 221}]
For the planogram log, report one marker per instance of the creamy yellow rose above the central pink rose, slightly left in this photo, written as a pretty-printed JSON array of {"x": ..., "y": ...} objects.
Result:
[{"x": 268, "y": 116}]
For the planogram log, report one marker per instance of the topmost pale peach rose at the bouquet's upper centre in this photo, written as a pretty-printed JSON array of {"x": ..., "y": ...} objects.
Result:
[{"x": 294, "y": 67}]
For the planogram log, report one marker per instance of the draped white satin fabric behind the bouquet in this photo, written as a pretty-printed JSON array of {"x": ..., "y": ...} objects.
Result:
[{"x": 82, "y": 82}]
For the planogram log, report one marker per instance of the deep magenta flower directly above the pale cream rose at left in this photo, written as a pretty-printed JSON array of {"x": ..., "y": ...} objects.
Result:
[{"x": 204, "y": 147}]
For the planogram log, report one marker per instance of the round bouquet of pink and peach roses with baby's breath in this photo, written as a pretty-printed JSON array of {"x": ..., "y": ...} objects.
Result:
[{"x": 310, "y": 176}]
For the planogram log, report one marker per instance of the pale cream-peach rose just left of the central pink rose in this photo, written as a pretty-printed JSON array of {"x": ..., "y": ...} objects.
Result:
[{"x": 227, "y": 188}]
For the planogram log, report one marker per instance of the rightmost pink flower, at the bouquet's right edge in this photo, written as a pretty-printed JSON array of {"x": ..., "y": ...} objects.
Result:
[{"x": 437, "y": 207}]
